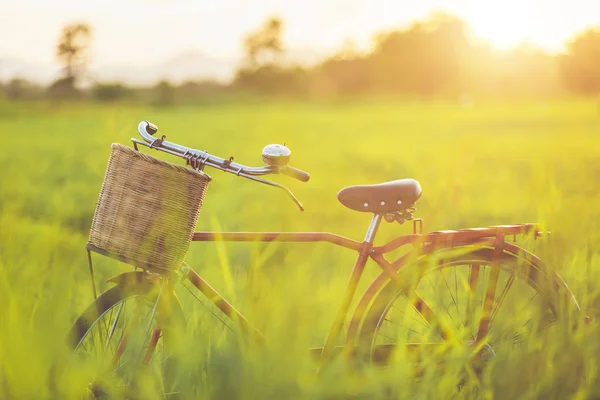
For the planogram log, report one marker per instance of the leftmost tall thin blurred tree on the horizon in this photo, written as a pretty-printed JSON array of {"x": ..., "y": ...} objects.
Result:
[{"x": 72, "y": 50}]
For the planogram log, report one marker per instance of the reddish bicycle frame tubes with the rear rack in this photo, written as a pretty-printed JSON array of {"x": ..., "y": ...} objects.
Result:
[{"x": 423, "y": 244}]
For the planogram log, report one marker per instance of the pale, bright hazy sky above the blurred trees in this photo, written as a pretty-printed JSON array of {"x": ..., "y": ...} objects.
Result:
[{"x": 137, "y": 33}]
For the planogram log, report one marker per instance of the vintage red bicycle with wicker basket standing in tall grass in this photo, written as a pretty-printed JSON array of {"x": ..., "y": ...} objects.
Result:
[{"x": 468, "y": 287}]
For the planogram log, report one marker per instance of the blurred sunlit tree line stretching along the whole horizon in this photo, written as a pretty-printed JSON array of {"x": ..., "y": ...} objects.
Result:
[{"x": 431, "y": 58}]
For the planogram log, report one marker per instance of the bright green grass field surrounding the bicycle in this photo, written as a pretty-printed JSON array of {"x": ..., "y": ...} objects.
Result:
[{"x": 489, "y": 164}]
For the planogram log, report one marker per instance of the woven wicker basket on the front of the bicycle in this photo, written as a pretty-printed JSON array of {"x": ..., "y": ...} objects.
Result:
[{"x": 147, "y": 210}]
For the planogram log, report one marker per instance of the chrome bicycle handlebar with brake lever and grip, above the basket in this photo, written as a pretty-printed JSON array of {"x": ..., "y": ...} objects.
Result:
[{"x": 198, "y": 159}]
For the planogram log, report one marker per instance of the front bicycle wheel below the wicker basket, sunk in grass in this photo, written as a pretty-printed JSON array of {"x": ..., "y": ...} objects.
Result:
[{"x": 125, "y": 342}]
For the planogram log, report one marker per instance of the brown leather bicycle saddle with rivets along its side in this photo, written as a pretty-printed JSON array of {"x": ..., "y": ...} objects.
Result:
[{"x": 383, "y": 198}]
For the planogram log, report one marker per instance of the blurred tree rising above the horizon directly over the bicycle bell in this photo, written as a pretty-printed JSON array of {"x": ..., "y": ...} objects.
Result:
[{"x": 264, "y": 46}]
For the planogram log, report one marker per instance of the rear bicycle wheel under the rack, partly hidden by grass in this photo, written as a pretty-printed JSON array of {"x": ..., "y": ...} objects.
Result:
[{"x": 461, "y": 297}]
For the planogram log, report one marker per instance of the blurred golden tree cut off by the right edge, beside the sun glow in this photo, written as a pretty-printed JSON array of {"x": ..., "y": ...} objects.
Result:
[{"x": 580, "y": 65}]
